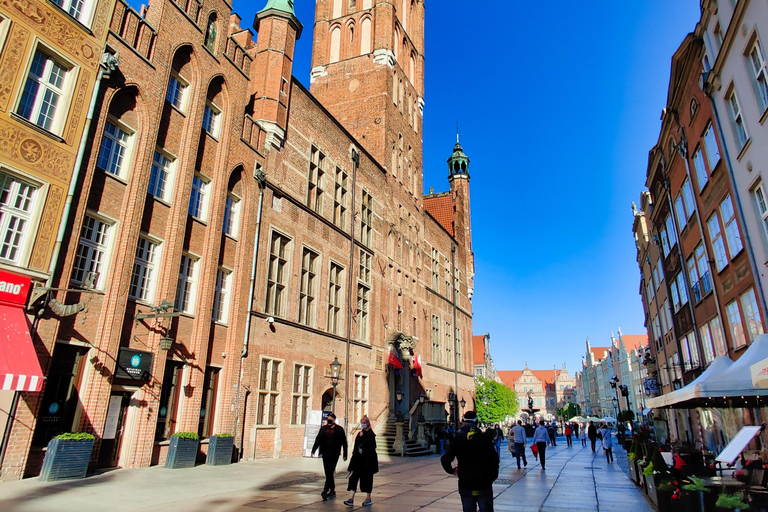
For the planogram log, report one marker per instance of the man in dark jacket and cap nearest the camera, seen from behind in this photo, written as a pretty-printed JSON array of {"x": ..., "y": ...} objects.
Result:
[{"x": 478, "y": 465}]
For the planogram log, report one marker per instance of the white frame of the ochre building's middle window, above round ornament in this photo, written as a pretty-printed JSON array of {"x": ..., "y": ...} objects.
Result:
[{"x": 64, "y": 91}]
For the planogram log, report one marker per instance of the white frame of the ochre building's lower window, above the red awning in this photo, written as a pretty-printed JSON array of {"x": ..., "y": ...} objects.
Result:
[{"x": 12, "y": 215}]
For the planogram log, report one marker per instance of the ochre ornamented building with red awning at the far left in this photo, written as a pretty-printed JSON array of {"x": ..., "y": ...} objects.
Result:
[{"x": 51, "y": 64}]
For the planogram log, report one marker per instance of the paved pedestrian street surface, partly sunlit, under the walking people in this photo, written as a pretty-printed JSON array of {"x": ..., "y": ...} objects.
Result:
[{"x": 575, "y": 480}]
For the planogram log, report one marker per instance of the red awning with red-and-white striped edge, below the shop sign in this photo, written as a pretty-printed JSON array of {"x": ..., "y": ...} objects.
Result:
[{"x": 19, "y": 367}]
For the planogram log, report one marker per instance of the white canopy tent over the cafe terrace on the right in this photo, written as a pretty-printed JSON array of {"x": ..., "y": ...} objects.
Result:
[{"x": 723, "y": 380}]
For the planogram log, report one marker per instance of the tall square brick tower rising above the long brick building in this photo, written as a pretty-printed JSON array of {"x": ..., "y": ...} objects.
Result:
[{"x": 368, "y": 71}]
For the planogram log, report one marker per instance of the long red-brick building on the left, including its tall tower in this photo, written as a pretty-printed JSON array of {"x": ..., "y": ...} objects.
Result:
[{"x": 235, "y": 233}]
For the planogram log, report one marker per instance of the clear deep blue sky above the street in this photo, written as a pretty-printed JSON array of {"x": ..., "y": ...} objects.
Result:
[{"x": 559, "y": 104}]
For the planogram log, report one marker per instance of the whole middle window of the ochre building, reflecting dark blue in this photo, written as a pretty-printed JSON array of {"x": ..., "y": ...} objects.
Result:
[{"x": 42, "y": 102}]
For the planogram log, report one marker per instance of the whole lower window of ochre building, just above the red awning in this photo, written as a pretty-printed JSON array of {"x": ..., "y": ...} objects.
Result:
[{"x": 17, "y": 203}]
